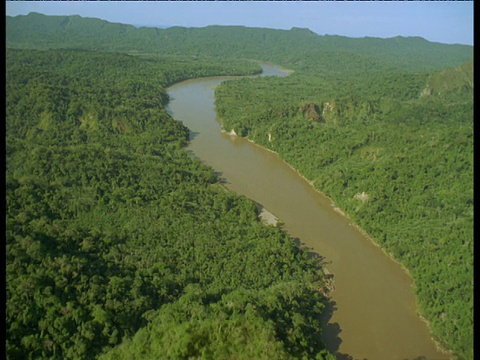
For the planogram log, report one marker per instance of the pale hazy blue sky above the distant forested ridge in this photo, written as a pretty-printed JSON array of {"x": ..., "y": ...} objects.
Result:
[{"x": 440, "y": 21}]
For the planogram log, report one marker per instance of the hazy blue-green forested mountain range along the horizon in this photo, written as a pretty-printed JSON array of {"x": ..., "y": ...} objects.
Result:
[{"x": 295, "y": 46}]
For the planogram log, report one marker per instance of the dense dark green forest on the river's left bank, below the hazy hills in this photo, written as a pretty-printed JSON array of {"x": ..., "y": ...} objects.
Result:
[{"x": 112, "y": 227}]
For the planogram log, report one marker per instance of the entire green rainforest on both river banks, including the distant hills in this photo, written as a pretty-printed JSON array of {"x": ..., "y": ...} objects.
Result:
[{"x": 119, "y": 244}]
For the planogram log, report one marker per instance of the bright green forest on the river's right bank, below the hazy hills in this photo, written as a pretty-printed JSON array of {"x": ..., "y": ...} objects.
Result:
[{"x": 395, "y": 152}]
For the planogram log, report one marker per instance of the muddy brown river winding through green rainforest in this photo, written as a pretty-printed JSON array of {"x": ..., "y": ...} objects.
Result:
[{"x": 373, "y": 314}]
